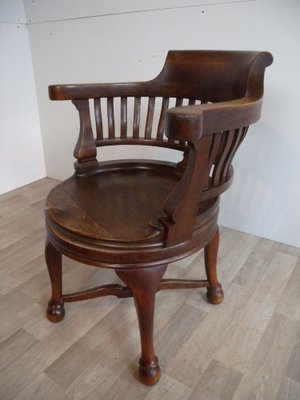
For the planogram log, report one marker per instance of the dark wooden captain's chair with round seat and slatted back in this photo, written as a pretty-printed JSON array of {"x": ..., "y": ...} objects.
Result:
[{"x": 138, "y": 216}]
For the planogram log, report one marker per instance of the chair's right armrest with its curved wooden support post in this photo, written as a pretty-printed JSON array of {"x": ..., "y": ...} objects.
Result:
[{"x": 196, "y": 124}]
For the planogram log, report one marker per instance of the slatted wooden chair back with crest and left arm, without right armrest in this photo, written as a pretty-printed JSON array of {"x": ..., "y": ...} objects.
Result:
[{"x": 136, "y": 113}]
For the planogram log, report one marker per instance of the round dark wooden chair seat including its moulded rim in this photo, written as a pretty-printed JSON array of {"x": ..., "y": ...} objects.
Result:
[{"x": 119, "y": 209}]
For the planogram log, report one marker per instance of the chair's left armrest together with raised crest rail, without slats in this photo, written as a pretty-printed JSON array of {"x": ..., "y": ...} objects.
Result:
[{"x": 210, "y": 75}]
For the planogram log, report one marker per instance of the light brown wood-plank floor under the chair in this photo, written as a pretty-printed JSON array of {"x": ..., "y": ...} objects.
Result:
[{"x": 248, "y": 347}]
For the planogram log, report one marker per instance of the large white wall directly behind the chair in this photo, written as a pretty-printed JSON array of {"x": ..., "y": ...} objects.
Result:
[{"x": 103, "y": 41}]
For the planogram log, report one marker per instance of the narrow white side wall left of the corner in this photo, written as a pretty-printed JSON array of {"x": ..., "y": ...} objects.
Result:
[{"x": 21, "y": 153}]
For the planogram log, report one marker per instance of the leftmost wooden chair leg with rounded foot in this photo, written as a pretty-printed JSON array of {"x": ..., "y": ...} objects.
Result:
[{"x": 55, "y": 310}]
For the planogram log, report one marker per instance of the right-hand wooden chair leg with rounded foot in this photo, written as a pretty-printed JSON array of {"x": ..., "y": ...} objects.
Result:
[{"x": 215, "y": 294}]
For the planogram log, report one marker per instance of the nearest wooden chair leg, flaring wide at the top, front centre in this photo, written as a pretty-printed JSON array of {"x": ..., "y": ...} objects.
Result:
[{"x": 143, "y": 284}]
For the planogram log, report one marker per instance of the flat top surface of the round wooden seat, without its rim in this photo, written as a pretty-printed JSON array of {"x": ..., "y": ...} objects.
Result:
[{"x": 117, "y": 204}]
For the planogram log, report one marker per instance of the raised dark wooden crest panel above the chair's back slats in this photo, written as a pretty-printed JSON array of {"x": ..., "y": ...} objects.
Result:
[{"x": 207, "y": 75}]
